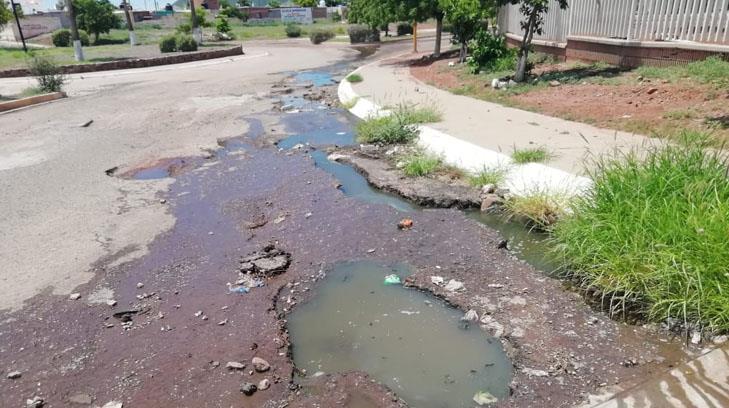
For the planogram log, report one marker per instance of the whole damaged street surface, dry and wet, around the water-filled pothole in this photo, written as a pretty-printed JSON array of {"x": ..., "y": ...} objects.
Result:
[{"x": 123, "y": 242}]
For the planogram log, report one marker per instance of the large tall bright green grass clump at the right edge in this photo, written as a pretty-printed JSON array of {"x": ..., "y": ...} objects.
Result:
[{"x": 650, "y": 238}]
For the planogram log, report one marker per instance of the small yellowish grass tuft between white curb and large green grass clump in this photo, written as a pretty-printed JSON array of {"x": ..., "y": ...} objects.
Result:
[{"x": 540, "y": 209}]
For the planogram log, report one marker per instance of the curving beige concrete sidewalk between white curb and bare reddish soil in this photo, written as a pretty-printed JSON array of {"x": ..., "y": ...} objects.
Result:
[{"x": 493, "y": 126}]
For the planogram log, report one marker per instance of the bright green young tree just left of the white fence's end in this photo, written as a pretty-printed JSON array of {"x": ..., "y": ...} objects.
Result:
[{"x": 466, "y": 17}]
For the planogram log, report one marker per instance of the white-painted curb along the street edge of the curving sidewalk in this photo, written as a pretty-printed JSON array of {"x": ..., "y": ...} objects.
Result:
[{"x": 522, "y": 180}]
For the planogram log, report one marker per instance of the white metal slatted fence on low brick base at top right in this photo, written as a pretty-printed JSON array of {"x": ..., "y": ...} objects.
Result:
[{"x": 704, "y": 21}]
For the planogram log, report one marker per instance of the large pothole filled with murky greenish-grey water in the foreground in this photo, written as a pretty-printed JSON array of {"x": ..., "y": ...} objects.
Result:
[{"x": 409, "y": 340}]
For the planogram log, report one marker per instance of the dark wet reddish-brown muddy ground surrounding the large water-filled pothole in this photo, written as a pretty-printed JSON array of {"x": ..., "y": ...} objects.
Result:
[{"x": 174, "y": 352}]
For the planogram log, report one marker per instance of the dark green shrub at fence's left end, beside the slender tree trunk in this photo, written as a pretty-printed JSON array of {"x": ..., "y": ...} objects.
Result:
[{"x": 490, "y": 53}]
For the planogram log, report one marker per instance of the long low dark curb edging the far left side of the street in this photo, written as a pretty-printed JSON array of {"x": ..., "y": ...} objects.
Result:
[{"x": 177, "y": 58}]
